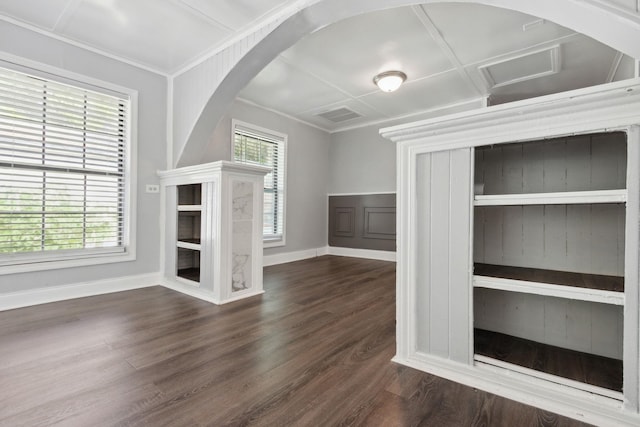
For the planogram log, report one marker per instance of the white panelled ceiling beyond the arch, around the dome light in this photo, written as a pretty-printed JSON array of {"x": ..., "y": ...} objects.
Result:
[{"x": 443, "y": 49}]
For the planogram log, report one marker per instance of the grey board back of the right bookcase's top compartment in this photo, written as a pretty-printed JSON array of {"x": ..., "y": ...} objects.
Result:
[{"x": 574, "y": 163}]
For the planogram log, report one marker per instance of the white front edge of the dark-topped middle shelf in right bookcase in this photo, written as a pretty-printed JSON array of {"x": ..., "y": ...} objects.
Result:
[{"x": 546, "y": 289}]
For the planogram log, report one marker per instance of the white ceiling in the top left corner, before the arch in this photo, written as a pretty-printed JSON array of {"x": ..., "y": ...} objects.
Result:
[{"x": 164, "y": 35}]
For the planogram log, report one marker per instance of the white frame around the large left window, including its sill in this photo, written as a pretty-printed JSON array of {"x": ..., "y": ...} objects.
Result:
[{"x": 56, "y": 259}]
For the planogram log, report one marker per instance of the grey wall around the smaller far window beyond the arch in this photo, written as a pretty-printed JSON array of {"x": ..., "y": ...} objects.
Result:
[{"x": 307, "y": 172}]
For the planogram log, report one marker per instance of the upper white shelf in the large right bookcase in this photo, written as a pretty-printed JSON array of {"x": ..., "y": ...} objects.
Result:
[{"x": 558, "y": 198}]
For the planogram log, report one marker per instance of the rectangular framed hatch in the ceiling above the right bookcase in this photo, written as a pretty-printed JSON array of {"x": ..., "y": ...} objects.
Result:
[{"x": 520, "y": 68}]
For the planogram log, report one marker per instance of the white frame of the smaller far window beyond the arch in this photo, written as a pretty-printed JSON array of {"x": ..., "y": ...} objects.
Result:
[{"x": 268, "y": 242}]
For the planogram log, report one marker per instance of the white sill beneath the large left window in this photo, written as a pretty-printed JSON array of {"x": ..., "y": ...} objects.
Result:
[{"x": 33, "y": 264}]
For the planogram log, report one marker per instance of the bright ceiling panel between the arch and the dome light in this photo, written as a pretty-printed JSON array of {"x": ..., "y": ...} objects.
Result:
[{"x": 351, "y": 52}]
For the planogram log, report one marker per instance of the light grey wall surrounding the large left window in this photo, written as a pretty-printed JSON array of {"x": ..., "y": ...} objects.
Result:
[{"x": 152, "y": 97}]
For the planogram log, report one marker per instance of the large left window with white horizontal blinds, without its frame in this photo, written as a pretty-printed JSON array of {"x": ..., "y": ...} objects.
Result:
[{"x": 62, "y": 167}]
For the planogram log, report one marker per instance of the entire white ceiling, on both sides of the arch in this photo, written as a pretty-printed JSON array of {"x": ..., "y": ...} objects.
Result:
[{"x": 452, "y": 53}]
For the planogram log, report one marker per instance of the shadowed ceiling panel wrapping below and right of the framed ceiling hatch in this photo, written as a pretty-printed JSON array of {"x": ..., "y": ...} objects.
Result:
[{"x": 585, "y": 62}]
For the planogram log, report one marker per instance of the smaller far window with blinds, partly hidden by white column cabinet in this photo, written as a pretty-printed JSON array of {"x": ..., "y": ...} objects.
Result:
[{"x": 262, "y": 147}]
